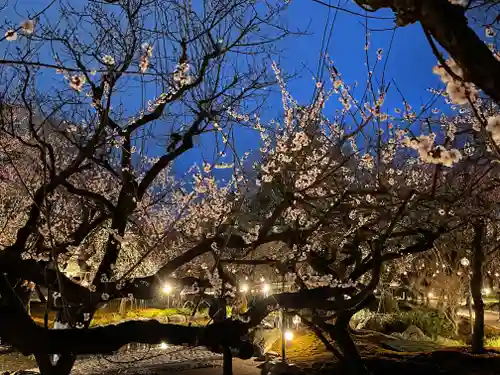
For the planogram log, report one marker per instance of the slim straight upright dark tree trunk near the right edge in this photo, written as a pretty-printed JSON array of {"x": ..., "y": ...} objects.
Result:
[{"x": 476, "y": 286}]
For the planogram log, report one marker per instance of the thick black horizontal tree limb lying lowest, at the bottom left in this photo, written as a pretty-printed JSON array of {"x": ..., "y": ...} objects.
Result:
[{"x": 32, "y": 339}]
